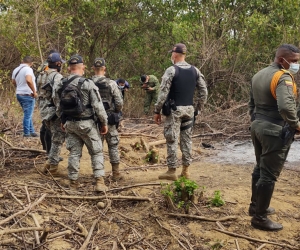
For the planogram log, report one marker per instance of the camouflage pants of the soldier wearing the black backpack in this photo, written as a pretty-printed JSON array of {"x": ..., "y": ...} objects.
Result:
[{"x": 81, "y": 133}]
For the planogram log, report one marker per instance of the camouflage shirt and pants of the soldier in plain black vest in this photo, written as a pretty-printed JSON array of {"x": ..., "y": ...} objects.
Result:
[{"x": 173, "y": 122}]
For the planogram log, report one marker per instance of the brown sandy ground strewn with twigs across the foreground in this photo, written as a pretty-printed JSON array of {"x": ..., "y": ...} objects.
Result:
[{"x": 145, "y": 225}]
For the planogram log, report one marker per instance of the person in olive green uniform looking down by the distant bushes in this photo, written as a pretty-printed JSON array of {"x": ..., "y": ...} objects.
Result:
[{"x": 151, "y": 85}]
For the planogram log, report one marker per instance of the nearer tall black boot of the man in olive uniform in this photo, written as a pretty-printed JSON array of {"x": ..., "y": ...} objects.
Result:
[{"x": 260, "y": 219}]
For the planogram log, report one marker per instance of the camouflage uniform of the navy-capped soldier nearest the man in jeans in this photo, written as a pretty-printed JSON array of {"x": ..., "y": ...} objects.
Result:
[{"x": 47, "y": 82}]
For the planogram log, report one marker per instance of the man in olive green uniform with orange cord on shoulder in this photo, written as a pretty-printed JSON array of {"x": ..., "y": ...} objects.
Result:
[{"x": 272, "y": 107}]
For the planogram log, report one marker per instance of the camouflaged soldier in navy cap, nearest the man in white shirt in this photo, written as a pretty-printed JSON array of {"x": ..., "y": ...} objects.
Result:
[{"x": 47, "y": 81}]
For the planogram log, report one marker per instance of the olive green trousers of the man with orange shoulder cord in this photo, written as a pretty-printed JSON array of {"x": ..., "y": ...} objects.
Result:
[{"x": 269, "y": 150}]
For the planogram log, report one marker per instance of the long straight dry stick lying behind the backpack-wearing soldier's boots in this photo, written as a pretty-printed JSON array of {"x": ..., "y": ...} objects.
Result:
[{"x": 100, "y": 197}]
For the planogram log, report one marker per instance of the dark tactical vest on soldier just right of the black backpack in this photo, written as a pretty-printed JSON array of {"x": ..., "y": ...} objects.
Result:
[{"x": 105, "y": 93}]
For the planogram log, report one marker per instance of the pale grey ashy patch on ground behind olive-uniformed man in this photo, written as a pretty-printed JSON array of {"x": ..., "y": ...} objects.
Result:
[{"x": 242, "y": 153}]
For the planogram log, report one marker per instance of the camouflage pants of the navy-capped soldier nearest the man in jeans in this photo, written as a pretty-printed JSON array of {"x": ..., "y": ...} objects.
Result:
[{"x": 57, "y": 140}]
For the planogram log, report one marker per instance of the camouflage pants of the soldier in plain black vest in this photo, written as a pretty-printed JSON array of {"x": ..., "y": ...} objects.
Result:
[{"x": 173, "y": 133}]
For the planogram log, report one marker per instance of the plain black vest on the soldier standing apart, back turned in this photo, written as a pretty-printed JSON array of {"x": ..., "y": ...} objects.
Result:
[{"x": 183, "y": 86}]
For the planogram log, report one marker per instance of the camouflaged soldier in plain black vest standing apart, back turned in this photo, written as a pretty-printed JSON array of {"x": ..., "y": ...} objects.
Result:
[{"x": 178, "y": 84}]
